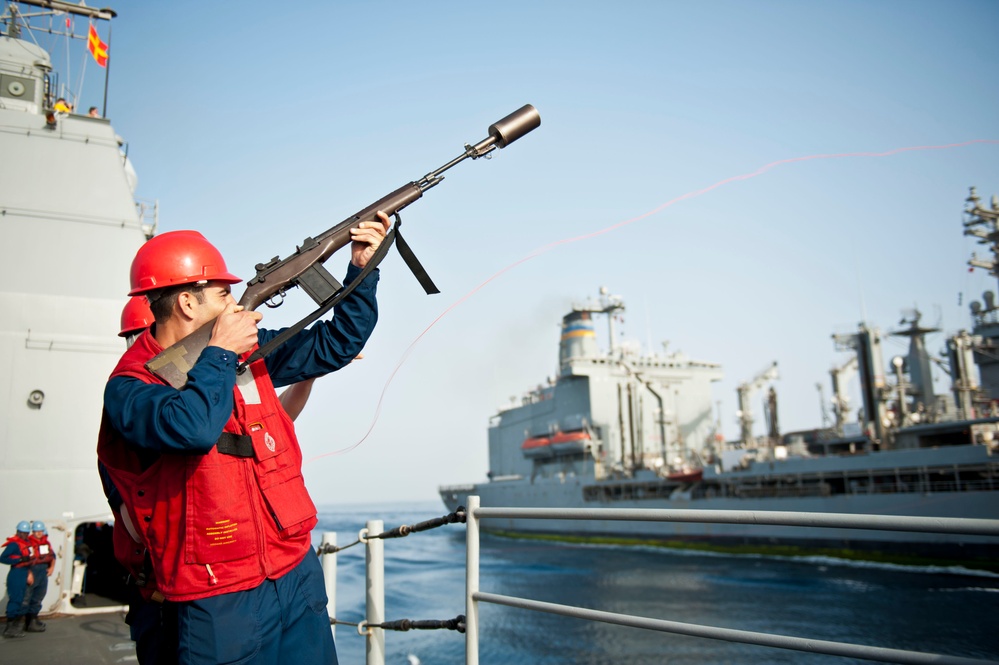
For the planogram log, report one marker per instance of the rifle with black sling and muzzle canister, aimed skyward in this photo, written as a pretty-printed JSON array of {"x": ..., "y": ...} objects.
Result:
[{"x": 304, "y": 267}]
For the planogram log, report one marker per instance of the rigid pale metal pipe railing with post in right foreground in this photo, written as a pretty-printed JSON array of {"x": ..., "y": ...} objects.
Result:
[{"x": 474, "y": 596}]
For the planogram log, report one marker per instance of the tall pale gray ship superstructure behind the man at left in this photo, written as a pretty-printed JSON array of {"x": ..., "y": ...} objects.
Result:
[{"x": 70, "y": 226}]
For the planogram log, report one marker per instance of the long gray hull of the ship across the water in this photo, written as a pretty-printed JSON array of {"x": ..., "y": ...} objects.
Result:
[{"x": 772, "y": 487}]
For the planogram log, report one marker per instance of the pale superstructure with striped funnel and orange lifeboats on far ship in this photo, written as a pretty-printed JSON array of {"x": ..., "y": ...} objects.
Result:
[{"x": 609, "y": 414}]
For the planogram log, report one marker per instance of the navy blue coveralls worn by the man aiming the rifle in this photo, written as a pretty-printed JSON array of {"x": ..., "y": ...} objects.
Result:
[{"x": 283, "y": 620}]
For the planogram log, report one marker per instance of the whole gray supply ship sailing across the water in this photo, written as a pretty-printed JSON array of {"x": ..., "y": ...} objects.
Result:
[{"x": 625, "y": 429}]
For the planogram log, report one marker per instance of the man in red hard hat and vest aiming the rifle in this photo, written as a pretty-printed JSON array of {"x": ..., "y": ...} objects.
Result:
[{"x": 209, "y": 476}]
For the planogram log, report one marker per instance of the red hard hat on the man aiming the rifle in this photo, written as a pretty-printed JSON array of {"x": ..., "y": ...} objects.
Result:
[{"x": 175, "y": 258}]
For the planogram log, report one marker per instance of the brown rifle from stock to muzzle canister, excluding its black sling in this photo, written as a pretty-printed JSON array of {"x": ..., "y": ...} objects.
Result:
[{"x": 304, "y": 267}]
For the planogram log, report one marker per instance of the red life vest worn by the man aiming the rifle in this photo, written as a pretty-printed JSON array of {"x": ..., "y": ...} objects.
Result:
[{"x": 214, "y": 523}]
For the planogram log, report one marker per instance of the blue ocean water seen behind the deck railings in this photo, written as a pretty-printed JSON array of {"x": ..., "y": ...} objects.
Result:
[{"x": 946, "y": 611}]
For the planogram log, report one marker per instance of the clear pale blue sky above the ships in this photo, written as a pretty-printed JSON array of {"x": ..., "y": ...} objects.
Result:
[{"x": 260, "y": 124}]
